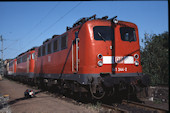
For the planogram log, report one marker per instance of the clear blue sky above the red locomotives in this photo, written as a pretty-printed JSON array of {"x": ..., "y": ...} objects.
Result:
[{"x": 24, "y": 25}]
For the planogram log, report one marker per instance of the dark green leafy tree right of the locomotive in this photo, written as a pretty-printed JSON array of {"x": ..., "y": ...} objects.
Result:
[{"x": 154, "y": 57}]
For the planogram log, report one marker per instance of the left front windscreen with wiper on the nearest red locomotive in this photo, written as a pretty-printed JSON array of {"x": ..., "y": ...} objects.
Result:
[{"x": 103, "y": 33}]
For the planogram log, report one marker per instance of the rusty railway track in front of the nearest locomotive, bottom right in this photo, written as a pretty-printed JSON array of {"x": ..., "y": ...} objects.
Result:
[{"x": 132, "y": 107}]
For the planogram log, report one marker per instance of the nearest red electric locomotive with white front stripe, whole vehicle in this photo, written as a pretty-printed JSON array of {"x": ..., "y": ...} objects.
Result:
[{"x": 96, "y": 54}]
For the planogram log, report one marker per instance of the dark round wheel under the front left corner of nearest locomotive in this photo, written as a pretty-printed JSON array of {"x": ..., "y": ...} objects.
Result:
[{"x": 99, "y": 93}]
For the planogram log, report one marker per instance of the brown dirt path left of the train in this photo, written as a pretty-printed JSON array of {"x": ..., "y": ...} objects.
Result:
[{"x": 42, "y": 103}]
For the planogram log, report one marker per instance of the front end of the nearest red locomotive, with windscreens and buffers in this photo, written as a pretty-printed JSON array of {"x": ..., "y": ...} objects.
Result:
[{"x": 111, "y": 55}]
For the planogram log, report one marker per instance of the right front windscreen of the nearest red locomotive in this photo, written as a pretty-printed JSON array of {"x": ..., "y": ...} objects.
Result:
[{"x": 128, "y": 34}]
